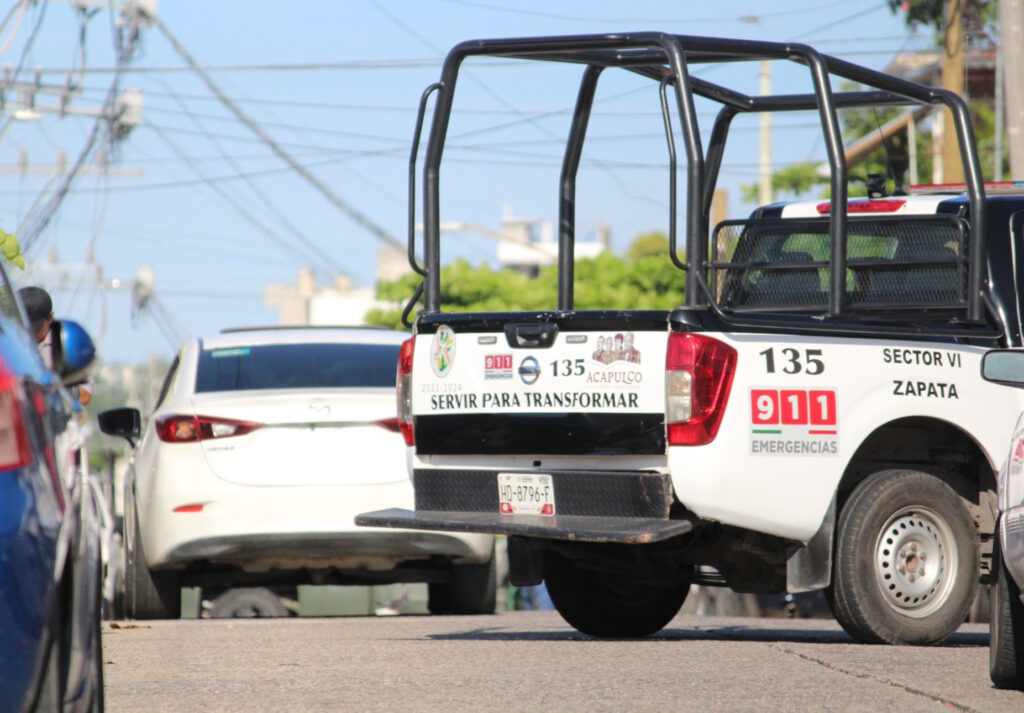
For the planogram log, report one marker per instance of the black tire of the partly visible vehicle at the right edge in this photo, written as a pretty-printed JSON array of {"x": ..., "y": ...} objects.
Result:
[{"x": 1006, "y": 630}]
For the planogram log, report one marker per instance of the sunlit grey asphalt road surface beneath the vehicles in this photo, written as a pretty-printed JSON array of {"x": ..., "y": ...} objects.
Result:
[{"x": 533, "y": 661}]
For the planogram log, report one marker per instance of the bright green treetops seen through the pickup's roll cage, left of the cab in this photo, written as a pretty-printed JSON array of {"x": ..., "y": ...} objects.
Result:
[{"x": 645, "y": 280}]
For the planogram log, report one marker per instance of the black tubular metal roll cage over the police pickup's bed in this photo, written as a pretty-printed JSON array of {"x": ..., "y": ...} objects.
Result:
[{"x": 667, "y": 59}]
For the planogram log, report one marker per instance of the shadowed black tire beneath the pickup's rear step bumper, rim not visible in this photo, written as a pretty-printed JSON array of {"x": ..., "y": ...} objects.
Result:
[{"x": 612, "y": 606}]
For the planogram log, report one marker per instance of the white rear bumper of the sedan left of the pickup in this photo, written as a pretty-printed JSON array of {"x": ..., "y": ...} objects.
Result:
[{"x": 288, "y": 529}]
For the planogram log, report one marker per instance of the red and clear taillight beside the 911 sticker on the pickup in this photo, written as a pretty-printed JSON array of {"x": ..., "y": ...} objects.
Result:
[{"x": 699, "y": 376}]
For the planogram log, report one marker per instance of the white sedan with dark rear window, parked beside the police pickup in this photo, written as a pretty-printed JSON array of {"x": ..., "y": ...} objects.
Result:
[{"x": 264, "y": 446}]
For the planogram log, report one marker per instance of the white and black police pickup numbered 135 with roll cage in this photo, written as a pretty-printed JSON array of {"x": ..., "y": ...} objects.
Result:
[{"x": 812, "y": 417}]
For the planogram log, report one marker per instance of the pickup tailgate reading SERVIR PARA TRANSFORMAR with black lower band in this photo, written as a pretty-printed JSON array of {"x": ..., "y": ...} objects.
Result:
[{"x": 549, "y": 385}]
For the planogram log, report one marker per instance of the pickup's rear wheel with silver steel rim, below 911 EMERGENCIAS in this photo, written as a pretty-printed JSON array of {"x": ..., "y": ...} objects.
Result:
[{"x": 906, "y": 570}]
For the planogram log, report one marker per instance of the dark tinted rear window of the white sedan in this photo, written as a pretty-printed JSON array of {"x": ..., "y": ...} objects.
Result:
[{"x": 296, "y": 366}]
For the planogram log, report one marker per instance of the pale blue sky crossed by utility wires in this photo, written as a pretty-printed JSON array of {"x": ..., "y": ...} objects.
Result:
[{"x": 197, "y": 197}]
